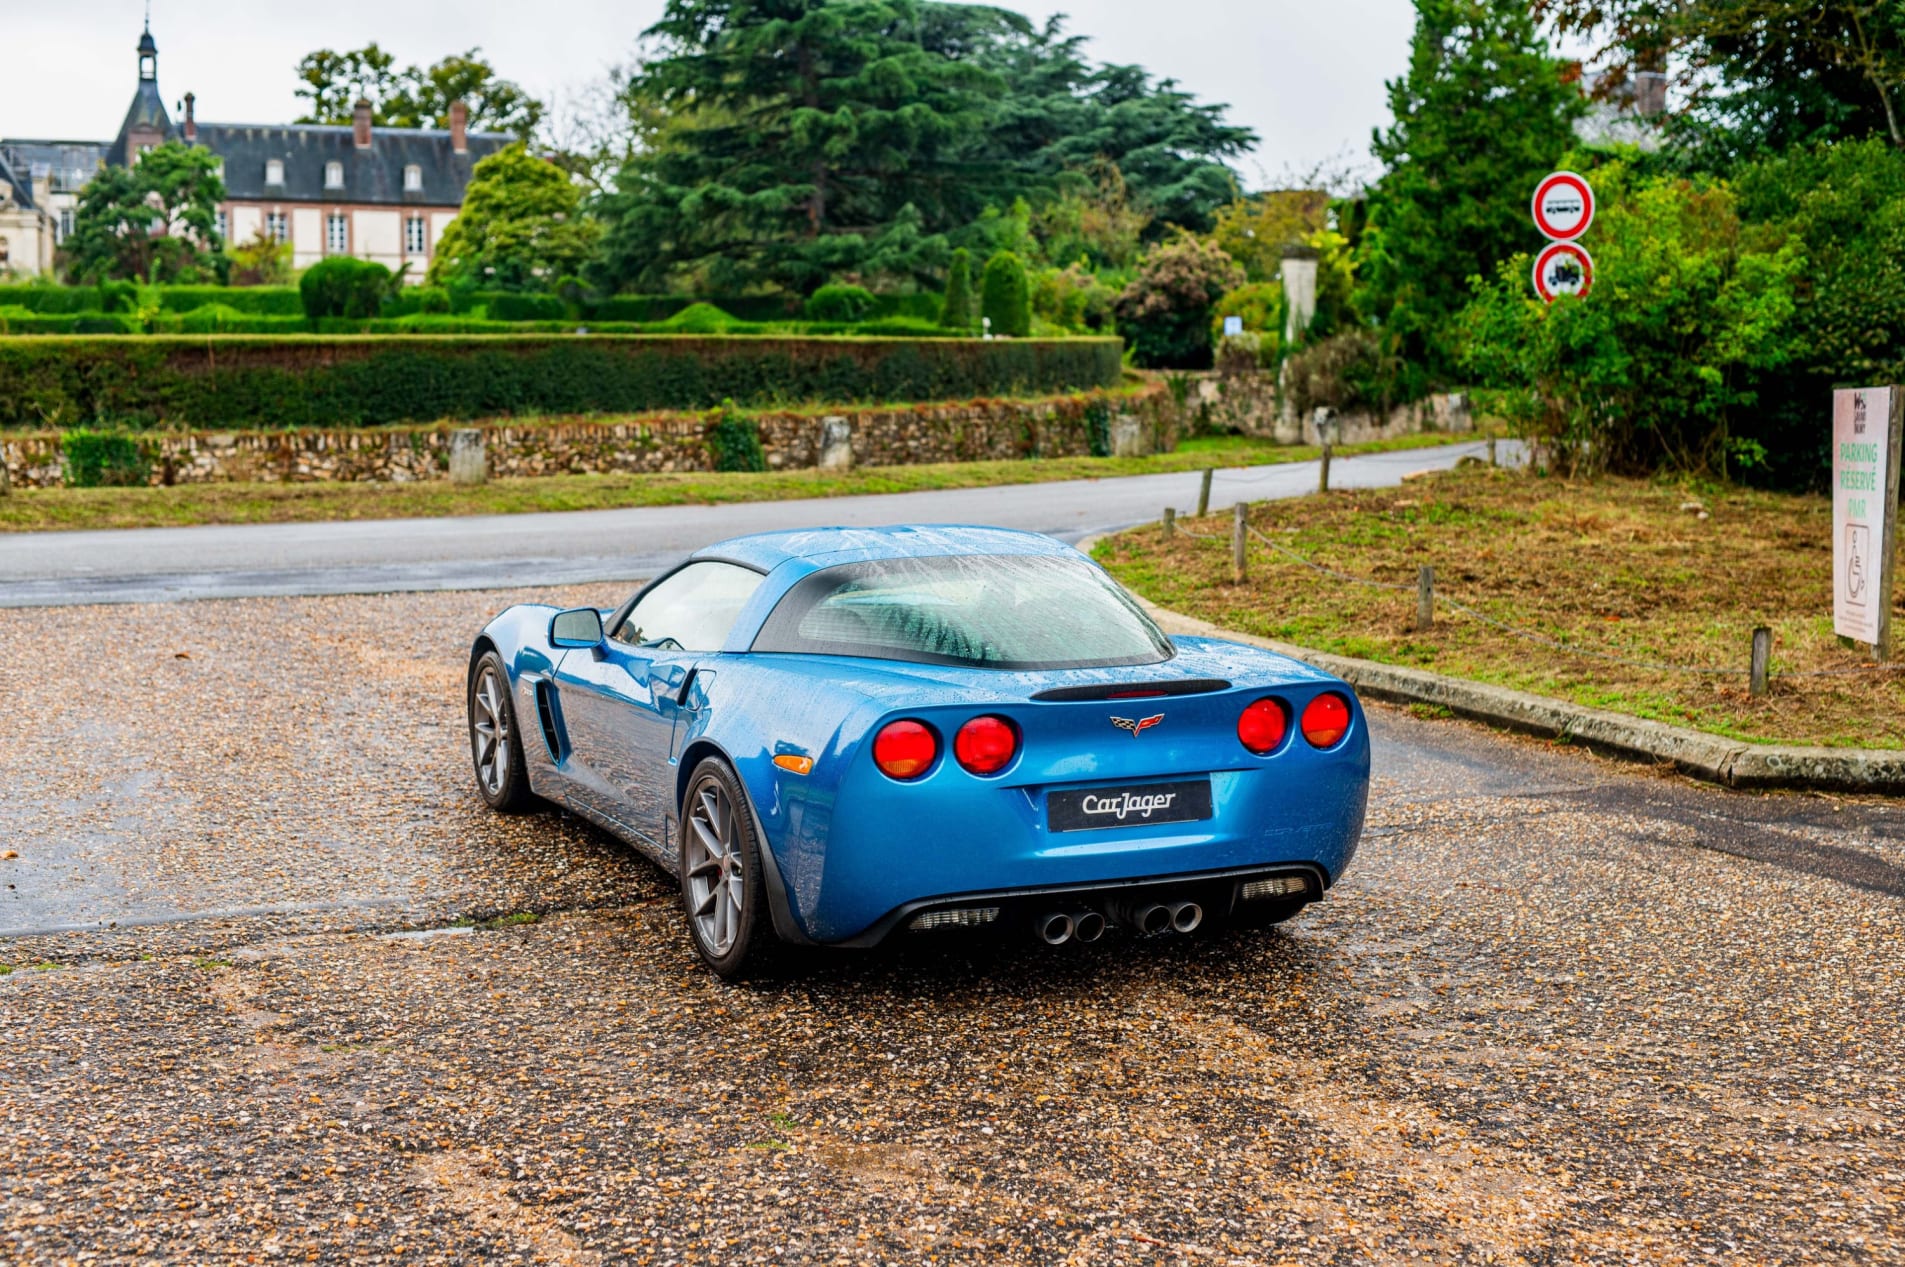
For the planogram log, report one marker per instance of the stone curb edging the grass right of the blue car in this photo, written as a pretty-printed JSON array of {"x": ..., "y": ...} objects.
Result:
[{"x": 1689, "y": 752}]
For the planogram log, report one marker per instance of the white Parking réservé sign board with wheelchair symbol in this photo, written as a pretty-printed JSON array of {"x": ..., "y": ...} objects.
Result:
[{"x": 1868, "y": 432}]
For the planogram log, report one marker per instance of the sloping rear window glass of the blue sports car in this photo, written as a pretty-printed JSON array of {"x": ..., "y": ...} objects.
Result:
[{"x": 982, "y": 611}]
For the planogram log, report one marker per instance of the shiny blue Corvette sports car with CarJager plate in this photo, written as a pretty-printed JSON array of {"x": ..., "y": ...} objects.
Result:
[{"x": 841, "y": 734}]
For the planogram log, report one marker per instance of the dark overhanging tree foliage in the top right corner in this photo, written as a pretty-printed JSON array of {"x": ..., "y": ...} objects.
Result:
[{"x": 1759, "y": 75}]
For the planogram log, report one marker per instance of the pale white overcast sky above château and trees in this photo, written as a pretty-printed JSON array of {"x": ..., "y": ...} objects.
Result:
[{"x": 1306, "y": 75}]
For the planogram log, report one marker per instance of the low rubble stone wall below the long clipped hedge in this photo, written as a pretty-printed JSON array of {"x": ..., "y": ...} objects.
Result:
[{"x": 1144, "y": 420}]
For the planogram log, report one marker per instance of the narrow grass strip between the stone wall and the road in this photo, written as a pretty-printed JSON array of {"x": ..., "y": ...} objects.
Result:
[{"x": 266, "y": 504}]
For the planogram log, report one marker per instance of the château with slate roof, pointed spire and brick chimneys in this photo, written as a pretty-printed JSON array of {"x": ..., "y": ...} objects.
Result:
[{"x": 376, "y": 193}]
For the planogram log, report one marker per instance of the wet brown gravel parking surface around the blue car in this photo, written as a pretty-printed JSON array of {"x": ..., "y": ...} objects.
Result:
[{"x": 1561, "y": 1011}]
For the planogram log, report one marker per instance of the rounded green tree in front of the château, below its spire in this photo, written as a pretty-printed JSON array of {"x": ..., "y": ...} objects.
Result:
[{"x": 155, "y": 222}]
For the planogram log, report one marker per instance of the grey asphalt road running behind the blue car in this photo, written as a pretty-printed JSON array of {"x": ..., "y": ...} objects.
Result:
[{"x": 161, "y": 565}]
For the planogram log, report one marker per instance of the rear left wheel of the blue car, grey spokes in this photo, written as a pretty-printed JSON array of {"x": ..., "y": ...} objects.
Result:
[{"x": 725, "y": 893}]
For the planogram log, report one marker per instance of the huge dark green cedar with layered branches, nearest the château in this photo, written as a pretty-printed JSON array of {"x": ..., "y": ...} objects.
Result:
[{"x": 820, "y": 134}]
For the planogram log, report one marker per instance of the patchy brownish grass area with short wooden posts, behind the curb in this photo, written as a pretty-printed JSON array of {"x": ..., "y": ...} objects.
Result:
[{"x": 1649, "y": 573}]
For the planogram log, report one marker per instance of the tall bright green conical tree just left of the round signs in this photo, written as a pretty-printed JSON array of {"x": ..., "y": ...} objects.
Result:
[{"x": 1483, "y": 113}]
